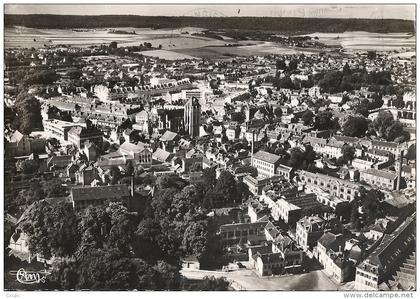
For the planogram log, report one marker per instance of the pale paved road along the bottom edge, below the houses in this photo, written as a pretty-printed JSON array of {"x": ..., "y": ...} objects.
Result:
[{"x": 248, "y": 280}]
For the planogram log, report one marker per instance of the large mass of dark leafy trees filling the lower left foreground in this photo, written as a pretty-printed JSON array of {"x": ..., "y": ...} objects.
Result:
[{"x": 108, "y": 247}]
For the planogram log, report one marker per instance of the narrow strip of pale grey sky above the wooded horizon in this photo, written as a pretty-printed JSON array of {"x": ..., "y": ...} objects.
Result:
[{"x": 378, "y": 11}]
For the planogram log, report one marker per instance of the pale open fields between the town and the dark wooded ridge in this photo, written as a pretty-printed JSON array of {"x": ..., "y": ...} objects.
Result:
[{"x": 180, "y": 43}]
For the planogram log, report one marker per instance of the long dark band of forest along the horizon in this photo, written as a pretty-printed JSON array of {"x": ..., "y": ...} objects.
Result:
[{"x": 279, "y": 24}]
